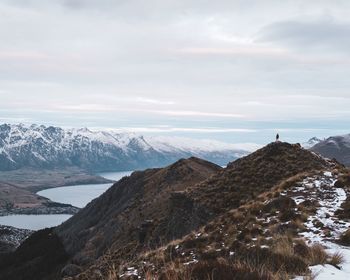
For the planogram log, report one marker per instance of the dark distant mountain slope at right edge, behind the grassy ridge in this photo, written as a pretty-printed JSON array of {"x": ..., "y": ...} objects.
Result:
[{"x": 337, "y": 147}]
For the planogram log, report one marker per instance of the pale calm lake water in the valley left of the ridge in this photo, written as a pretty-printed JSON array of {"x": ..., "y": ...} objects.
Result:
[{"x": 78, "y": 195}]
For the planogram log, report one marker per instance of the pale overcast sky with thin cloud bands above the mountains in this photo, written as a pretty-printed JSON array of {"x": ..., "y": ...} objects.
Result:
[{"x": 236, "y": 71}]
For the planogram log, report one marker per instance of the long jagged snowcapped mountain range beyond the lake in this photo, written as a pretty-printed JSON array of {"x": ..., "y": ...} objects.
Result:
[{"x": 42, "y": 146}]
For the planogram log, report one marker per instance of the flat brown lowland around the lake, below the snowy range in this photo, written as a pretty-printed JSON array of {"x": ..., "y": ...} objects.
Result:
[{"x": 18, "y": 192}]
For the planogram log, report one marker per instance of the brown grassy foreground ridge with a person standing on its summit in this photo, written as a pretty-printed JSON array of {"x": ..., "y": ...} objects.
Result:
[{"x": 259, "y": 218}]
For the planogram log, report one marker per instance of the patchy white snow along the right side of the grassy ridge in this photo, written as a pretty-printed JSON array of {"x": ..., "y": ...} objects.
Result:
[{"x": 330, "y": 198}]
